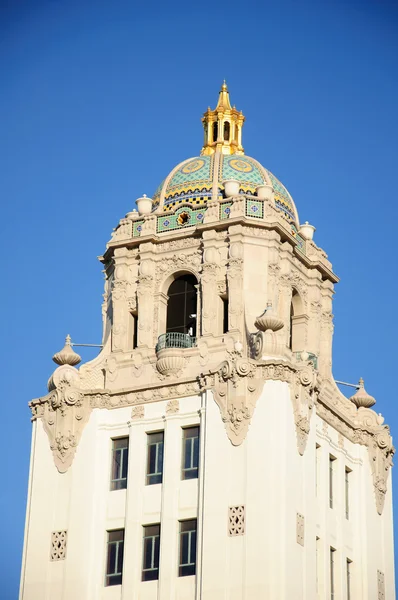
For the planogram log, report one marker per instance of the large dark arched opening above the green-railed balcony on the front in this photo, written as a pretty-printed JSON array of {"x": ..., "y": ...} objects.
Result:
[{"x": 182, "y": 305}]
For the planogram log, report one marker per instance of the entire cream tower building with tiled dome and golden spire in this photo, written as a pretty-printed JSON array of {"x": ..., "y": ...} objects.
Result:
[{"x": 207, "y": 452}]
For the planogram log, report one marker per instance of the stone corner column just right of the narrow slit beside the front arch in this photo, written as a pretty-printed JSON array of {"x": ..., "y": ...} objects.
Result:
[{"x": 235, "y": 282}]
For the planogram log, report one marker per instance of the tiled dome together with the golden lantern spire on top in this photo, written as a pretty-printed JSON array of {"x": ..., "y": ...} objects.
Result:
[{"x": 199, "y": 180}]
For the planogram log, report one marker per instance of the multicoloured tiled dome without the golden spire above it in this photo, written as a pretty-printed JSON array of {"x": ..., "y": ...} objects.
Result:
[{"x": 199, "y": 180}]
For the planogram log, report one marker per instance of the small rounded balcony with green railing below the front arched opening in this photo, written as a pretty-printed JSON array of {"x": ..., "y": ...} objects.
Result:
[{"x": 170, "y": 352}]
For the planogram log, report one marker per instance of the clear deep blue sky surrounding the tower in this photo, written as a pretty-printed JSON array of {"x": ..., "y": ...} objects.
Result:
[{"x": 99, "y": 100}]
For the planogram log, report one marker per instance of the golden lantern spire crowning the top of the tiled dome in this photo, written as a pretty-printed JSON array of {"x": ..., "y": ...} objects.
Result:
[{"x": 223, "y": 127}]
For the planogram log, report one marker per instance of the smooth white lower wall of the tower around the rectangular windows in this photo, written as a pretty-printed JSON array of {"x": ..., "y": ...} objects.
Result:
[{"x": 265, "y": 474}]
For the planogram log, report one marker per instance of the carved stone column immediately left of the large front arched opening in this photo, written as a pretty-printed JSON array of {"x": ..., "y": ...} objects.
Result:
[{"x": 145, "y": 294}]
